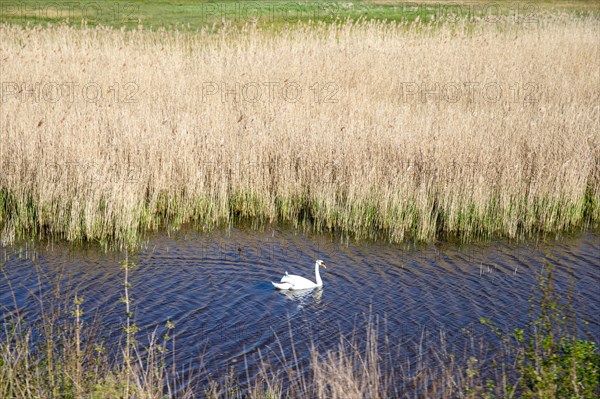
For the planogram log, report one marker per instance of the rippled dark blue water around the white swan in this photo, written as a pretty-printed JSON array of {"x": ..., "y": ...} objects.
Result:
[{"x": 215, "y": 287}]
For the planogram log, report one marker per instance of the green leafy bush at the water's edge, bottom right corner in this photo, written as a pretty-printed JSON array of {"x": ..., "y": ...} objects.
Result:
[{"x": 551, "y": 362}]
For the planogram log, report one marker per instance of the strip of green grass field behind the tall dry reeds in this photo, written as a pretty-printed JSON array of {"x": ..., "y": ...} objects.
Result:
[{"x": 195, "y": 15}]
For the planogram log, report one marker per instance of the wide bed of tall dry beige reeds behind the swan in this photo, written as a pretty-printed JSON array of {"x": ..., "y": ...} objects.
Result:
[{"x": 396, "y": 131}]
